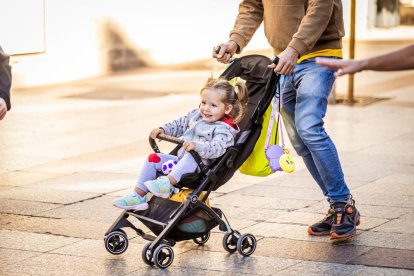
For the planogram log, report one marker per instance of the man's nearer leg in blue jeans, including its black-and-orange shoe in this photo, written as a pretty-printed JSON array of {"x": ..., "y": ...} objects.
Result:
[{"x": 314, "y": 84}]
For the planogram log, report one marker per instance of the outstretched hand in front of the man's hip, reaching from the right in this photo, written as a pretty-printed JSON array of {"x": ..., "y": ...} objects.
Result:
[{"x": 343, "y": 67}]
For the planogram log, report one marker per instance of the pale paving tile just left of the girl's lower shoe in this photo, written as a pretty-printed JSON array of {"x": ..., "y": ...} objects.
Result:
[{"x": 96, "y": 209}]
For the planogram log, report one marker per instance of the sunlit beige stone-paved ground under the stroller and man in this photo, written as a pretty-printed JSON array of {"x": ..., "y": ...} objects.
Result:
[{"x": 67, "y": 151}]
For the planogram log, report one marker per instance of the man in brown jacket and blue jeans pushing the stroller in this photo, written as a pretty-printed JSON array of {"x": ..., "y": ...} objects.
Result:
[{"x": 299, "y": 31}]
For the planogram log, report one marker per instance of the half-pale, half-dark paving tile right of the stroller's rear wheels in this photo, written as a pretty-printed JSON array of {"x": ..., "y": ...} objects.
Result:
[{"x": 309, "y": 251}]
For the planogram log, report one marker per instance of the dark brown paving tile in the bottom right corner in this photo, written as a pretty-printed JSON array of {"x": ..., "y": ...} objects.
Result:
[{"x": 387, "y": 258}]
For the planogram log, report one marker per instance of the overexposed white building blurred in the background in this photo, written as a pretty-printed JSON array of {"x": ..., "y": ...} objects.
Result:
[{"x": 56, "y": 41}]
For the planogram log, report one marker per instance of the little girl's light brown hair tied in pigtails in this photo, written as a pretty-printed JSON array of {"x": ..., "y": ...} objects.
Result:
[{"x": 236, "y": 95}]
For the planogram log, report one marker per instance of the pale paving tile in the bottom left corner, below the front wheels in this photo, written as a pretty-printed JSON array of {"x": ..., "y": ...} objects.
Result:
[{"x": 56, "y": 264}]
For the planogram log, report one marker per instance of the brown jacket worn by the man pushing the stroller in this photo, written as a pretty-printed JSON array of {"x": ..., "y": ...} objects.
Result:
[{"x": 306, "y": 25}]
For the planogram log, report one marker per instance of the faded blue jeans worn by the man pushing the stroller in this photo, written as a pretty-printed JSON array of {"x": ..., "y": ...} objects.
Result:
[{"x": 305, "y": 98}]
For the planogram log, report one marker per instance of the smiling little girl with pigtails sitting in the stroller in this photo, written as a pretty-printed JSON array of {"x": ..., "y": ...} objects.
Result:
[{"x": 209, "y": 130}]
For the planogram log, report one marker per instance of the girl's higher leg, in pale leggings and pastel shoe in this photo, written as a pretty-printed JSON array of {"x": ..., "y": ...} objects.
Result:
[{"x": 163, "y": 185}]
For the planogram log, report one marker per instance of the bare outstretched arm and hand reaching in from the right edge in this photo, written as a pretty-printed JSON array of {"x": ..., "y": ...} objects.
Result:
[{"x": 401, "y": 59}]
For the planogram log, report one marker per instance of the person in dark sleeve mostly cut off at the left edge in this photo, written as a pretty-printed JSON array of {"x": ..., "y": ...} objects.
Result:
[{"x": 5, "y": 84}]
